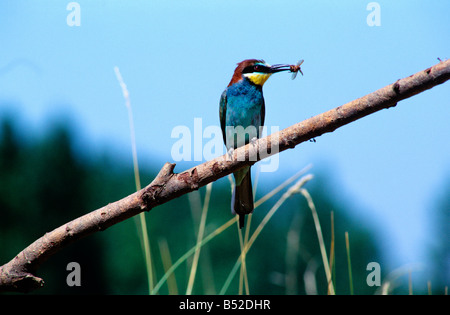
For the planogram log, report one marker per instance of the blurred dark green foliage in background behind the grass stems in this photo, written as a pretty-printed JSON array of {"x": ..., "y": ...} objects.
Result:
[{"x": 44, "y": 184}]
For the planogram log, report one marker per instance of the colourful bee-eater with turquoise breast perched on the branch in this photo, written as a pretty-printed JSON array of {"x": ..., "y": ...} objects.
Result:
[{"x": 242, "y": 105}]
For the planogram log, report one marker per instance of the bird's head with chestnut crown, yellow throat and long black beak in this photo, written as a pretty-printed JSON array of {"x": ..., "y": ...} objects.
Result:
[{"x": 256, "y": 71}]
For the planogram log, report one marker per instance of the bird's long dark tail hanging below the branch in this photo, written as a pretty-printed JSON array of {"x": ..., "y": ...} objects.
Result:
[{"x": 242, "y": 200}]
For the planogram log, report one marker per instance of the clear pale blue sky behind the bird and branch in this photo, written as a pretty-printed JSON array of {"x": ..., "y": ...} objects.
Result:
[{"x": 177, "y": 57}]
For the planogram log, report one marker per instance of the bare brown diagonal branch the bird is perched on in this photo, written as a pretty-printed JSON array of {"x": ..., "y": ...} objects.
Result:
[{"x": 19, "y": 273}]
